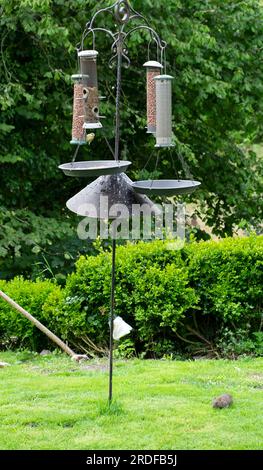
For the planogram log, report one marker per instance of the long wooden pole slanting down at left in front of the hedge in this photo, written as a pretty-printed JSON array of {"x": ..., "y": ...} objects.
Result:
[{"x": 46, "y": 331}]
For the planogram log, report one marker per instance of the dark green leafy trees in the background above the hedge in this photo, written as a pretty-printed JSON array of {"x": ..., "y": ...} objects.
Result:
[{"x": 215, "y": 53}]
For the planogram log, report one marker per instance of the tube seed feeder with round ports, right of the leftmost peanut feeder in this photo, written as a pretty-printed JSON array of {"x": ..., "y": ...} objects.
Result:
[{"x": 88, "y": 68}]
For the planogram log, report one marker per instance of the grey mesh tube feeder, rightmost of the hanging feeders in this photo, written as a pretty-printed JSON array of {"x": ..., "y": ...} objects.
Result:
[{"x": 163, "y": 110}]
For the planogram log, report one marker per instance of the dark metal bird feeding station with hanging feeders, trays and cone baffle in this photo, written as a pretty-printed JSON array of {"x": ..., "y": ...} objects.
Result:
[{"x": 111, "y": 180}]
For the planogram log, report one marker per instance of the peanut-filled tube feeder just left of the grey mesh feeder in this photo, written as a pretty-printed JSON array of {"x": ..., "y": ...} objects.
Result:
[{"x": 153, "y": 70}]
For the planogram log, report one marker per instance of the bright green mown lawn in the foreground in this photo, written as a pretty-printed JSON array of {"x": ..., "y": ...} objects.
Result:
[{"x": 52, "y": 403}]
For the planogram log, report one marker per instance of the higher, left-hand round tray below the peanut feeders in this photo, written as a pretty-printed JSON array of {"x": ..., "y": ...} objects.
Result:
[{"x": 94, "y": 168}]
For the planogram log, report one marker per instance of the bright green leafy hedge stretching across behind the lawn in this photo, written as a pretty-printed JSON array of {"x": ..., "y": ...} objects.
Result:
[{"x": 203, "y": 299}]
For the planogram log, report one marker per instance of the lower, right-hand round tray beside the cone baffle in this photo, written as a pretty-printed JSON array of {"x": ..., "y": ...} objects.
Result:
[{"x": 165, "y": 187}]
